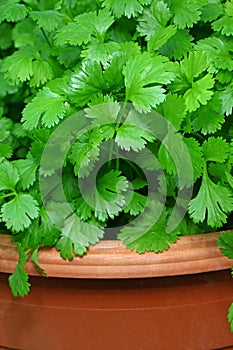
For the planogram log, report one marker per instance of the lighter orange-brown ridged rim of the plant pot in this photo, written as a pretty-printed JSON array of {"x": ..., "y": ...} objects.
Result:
[{"x": 110, "y": 259}]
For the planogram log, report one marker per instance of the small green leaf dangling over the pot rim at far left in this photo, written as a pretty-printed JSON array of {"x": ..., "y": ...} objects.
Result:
[{"x": 18, "y": 281}]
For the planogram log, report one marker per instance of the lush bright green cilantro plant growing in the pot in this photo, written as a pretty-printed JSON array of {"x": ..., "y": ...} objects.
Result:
[{"x": 114, "y": 64}]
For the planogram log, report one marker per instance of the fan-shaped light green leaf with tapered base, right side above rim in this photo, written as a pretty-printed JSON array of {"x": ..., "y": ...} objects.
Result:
[{"x": 213, "y": 203}]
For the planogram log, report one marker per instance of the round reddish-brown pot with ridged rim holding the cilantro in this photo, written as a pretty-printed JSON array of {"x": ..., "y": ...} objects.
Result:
[{"x": 103, "y": 300}]
